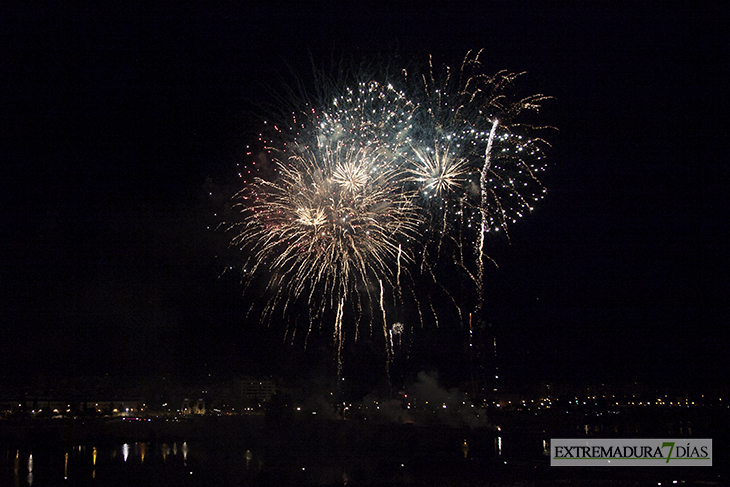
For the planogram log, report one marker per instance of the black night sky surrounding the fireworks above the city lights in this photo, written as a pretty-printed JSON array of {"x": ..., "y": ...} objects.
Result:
[{"x": 117, "y": 122}]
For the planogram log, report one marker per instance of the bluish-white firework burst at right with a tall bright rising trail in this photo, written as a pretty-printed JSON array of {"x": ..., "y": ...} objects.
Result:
[{"x": 473, "y": 163}]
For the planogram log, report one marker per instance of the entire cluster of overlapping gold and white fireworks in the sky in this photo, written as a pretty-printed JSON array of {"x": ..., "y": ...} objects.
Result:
[{"x": 378, "y": 183}]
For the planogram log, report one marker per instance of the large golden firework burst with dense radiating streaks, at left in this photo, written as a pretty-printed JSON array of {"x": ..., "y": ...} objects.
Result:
[{"x": 332, "y": 223}]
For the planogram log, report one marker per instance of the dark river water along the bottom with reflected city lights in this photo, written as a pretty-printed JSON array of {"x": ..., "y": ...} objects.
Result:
[{"x": 248, "y": 450}]
